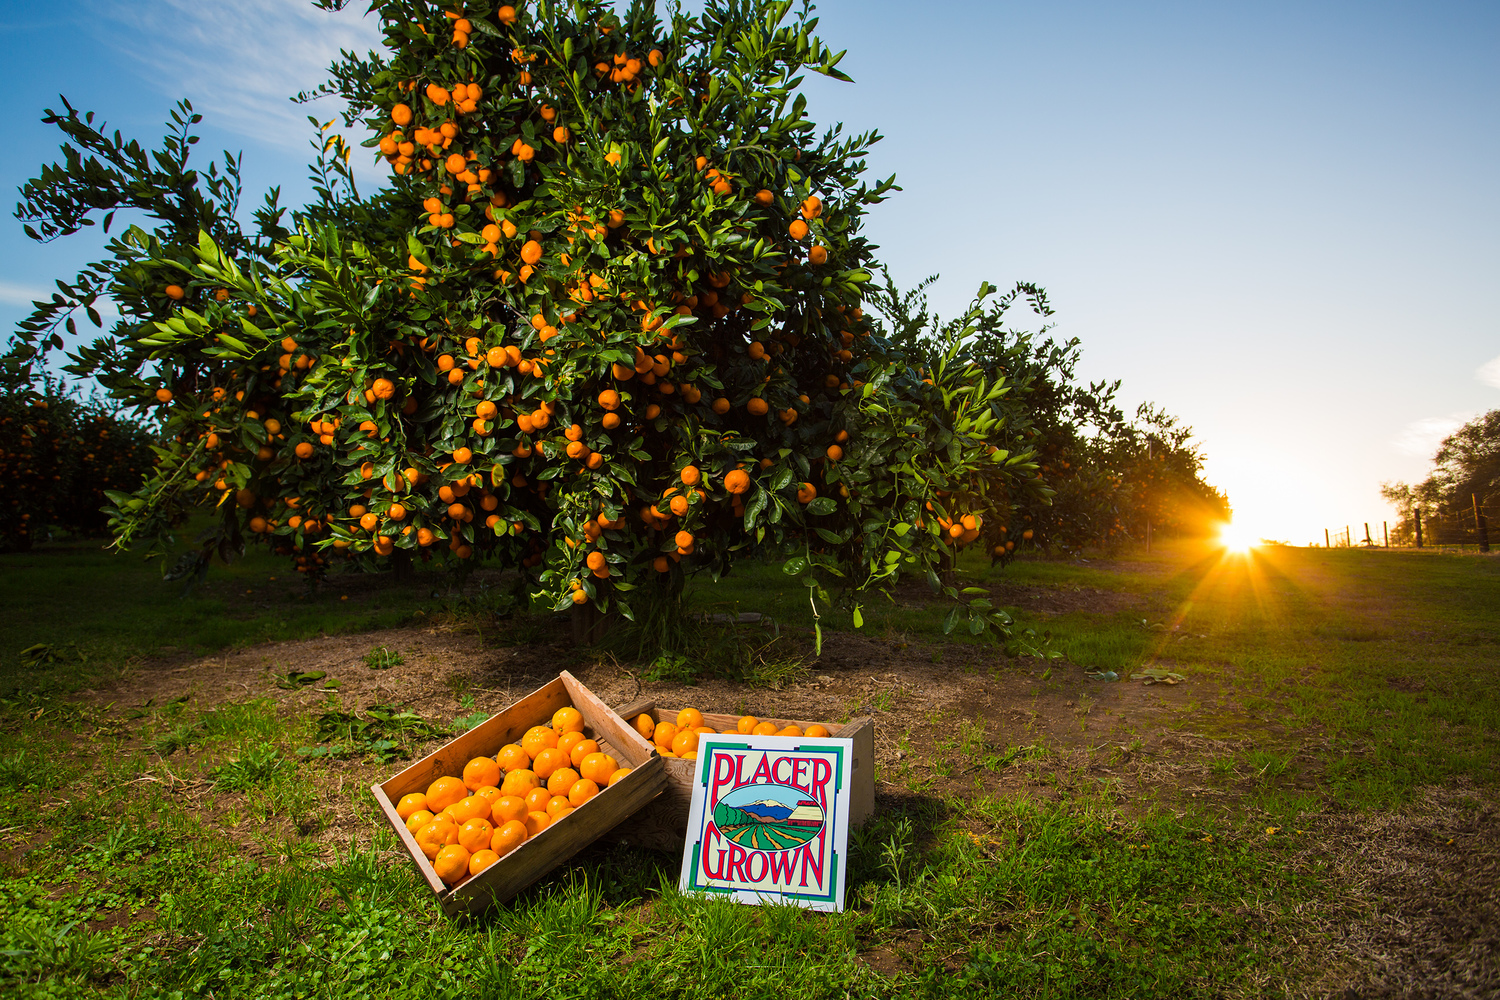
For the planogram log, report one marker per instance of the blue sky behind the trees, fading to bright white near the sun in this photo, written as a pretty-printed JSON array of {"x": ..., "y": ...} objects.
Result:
[{"x": 1277, "y": 221}]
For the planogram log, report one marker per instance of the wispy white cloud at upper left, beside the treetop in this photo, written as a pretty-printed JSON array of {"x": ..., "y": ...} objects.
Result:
[{"x": 239, "y": 62}]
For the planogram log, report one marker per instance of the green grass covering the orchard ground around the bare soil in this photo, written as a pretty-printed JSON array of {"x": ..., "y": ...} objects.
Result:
[{"x": 175, "y": 852}]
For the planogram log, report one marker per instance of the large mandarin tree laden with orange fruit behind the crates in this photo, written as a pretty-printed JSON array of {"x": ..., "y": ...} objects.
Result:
[{"x": 605, "y": 322}]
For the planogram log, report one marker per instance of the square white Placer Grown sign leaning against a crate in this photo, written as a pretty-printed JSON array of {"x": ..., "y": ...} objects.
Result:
[{"x": 770, "y": 821}]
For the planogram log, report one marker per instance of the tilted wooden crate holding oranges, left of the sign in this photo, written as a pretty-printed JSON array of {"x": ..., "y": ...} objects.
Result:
[{"x": 557, "y": 843}]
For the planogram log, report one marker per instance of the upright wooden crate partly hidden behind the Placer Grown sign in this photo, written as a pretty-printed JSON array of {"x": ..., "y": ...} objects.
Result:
[{"x": 662, "y": 824}]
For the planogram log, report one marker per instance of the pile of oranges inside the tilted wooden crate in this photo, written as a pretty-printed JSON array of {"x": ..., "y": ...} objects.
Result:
[{"x": 467, "y": 824}]
